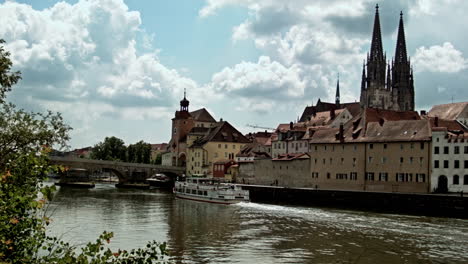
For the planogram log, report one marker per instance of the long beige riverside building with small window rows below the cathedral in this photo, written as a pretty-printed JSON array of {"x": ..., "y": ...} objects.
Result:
[{"x": 379, "y": 150}]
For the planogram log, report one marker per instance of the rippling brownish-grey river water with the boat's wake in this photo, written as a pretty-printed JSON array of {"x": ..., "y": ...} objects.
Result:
[{"x": 254, "y": 233}]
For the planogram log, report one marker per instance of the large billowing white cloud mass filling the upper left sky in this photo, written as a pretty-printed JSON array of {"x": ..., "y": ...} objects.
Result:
[{"x": 87, "y": 51}]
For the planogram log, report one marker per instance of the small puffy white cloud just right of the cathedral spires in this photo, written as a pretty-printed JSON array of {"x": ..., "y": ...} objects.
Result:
[{"x": 444, "y": 59}]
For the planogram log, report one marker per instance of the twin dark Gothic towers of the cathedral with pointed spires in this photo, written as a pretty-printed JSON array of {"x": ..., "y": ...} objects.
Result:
[{"x": 387, "y": 85}]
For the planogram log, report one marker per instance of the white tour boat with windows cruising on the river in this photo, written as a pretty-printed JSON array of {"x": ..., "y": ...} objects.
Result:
[{"x": 210, "y": 190}]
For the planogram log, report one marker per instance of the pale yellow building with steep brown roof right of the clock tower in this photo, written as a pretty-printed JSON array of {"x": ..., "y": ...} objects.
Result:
[{"x": 208, "y": 145}]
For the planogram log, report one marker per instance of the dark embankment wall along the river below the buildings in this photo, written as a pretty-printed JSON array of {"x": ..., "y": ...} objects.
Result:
[{"x": 399, "y": 203}]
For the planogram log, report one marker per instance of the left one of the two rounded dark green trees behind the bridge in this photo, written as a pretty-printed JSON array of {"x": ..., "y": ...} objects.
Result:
[{"x": 112, "y": 148}]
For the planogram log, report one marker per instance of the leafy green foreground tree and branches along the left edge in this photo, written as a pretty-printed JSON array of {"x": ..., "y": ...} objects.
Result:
[{"x": 26, "y": 139}]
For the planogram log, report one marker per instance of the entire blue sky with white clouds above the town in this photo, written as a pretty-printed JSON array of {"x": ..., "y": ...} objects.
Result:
[{"x": 120, "y": 67}]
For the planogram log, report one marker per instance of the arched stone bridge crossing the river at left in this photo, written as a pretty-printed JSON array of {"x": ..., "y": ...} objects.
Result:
[{"x": 125, "y": 171}]
